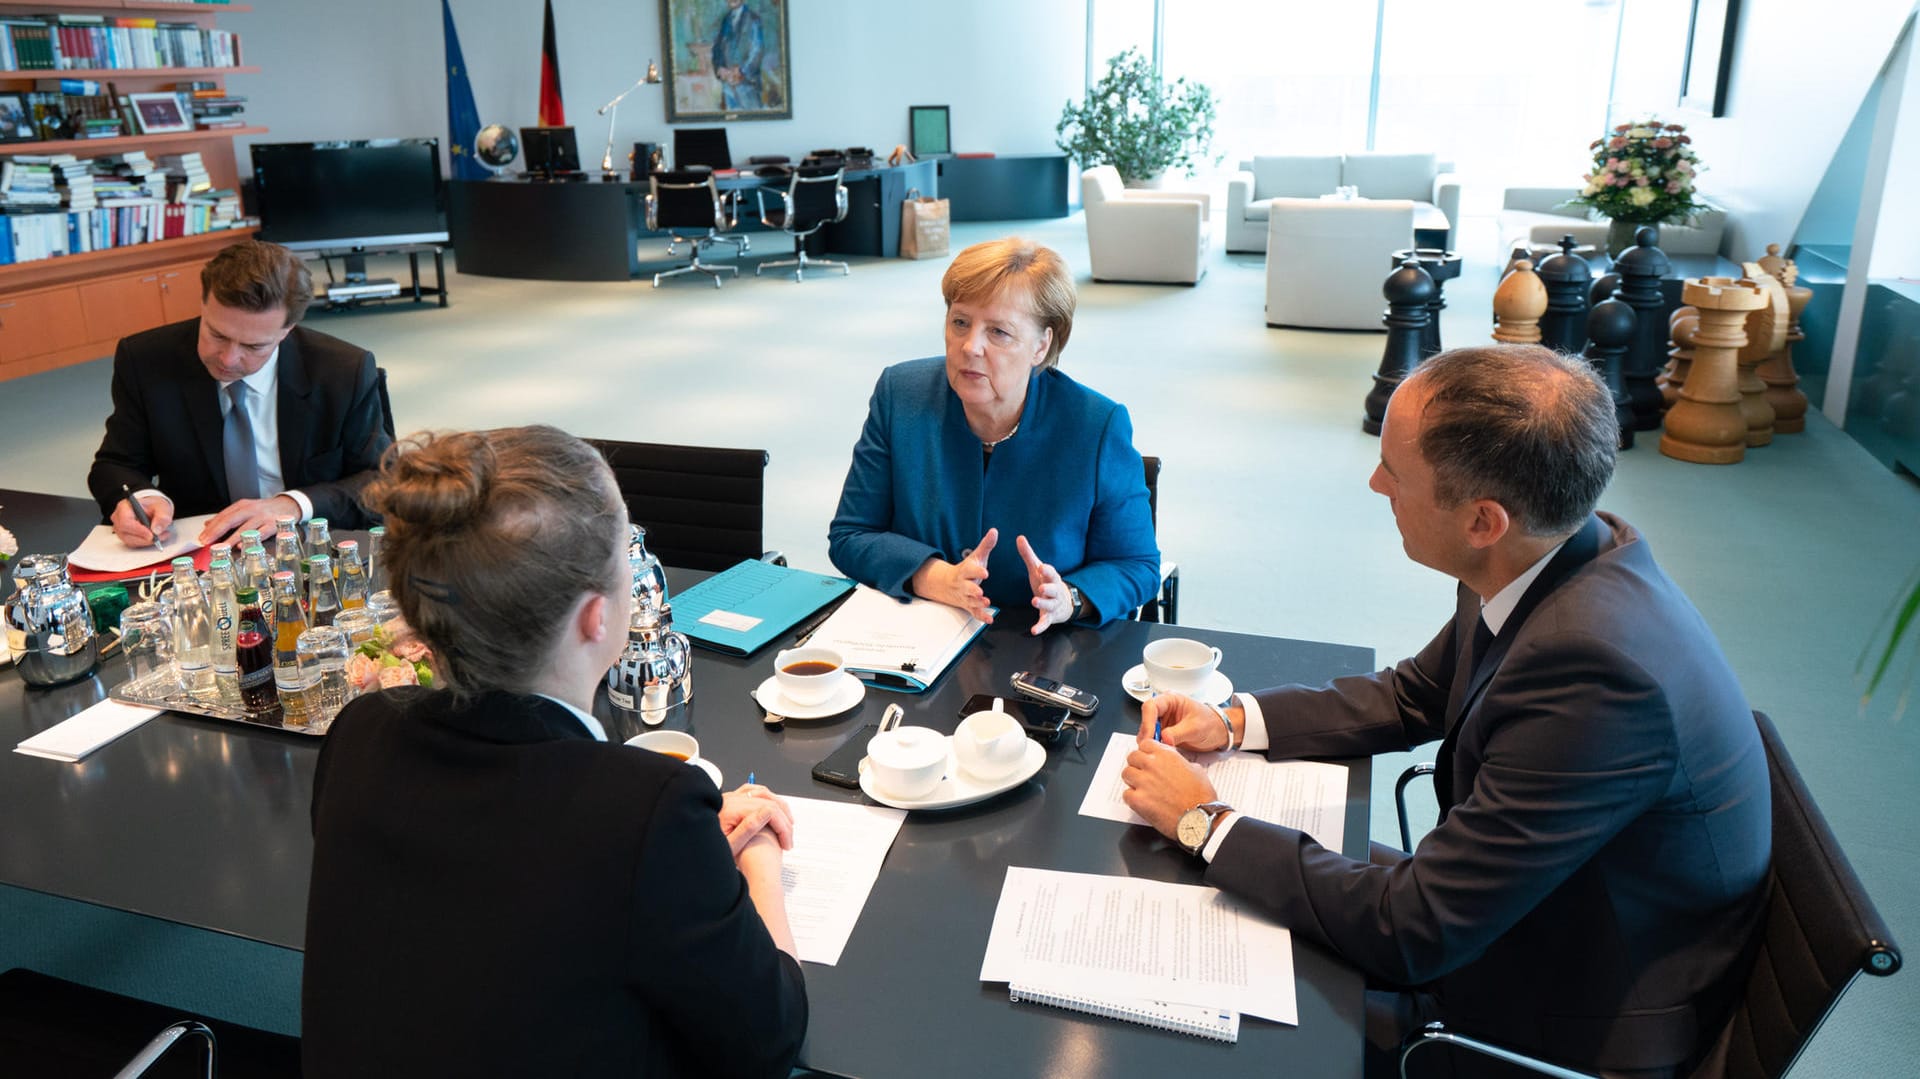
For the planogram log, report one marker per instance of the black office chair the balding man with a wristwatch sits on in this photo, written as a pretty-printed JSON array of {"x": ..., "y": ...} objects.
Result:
[{"x": 1817, "y": 936}]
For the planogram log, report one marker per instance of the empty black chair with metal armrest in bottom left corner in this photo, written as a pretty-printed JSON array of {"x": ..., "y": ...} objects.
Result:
[{"x": 51, "y": 1026}]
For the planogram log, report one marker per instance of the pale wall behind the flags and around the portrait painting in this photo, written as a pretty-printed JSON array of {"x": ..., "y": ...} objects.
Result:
[{"x": 373, "y": 68}]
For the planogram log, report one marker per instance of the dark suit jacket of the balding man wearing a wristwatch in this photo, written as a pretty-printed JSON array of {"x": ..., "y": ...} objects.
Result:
[{"x": 1596, "y": 875}]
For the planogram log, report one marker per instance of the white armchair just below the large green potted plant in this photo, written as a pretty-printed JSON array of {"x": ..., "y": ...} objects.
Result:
[{"x": 1145, "y": 235}]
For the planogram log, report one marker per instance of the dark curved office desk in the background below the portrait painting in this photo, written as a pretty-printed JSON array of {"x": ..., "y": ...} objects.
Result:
[{"x": 592, "y": 229}]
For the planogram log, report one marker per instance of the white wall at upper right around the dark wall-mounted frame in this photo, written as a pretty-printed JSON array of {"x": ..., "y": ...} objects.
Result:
[{"x": 1800, "y": 74}]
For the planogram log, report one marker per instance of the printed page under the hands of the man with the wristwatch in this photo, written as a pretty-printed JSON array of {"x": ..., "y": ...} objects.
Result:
[{"x": 1299, "y": 794}]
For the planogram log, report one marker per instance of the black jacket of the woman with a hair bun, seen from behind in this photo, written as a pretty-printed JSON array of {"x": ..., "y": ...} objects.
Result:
[{"x": 496, "y": 894}]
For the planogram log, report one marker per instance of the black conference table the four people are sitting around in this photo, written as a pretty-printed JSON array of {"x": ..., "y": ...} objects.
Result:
[{"x": 204, "y": 823}]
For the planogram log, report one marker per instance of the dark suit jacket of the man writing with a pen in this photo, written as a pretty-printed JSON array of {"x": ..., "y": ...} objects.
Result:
[{"x": 166, "y": 425}]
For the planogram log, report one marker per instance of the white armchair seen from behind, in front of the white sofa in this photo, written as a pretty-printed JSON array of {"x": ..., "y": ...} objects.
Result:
[{"x": 1330, "y": 258}]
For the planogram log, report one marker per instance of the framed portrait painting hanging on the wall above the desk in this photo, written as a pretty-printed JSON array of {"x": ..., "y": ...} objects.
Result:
[{"x": 727, "y": 60}]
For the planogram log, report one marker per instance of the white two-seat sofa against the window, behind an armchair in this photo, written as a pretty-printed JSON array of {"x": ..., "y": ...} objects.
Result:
[{"x": 1251, "y": 193}]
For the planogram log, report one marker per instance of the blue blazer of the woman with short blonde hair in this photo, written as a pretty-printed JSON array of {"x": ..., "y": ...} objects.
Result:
[{"x": 1068, "y": 481}]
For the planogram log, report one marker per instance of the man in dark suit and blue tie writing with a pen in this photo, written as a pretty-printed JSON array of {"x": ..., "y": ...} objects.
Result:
[{"x": 241, "y": 412}]
